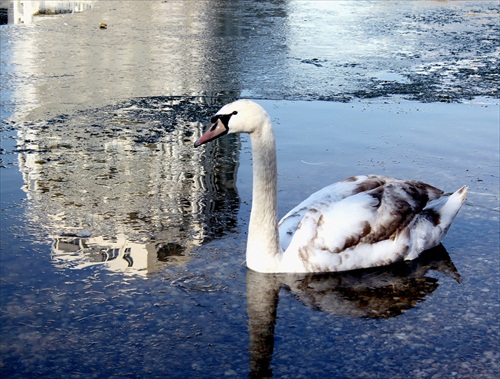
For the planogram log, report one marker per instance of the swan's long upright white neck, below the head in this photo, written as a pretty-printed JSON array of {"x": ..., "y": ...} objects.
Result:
[{"x": 263, "y": 248}]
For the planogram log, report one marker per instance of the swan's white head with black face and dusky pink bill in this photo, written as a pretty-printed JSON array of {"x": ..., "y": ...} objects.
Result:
[{"x": 241, "y": 116}]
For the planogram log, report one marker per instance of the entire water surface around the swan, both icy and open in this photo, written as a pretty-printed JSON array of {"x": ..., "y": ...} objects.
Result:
[{"x": 123, "y": 246}]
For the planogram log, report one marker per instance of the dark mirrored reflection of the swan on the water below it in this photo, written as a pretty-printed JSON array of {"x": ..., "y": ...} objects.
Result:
[{"x": 375, "y": 293}]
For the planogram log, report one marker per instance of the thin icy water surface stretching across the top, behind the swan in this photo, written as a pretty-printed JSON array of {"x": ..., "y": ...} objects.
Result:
[{"x": 293, "y": 49}]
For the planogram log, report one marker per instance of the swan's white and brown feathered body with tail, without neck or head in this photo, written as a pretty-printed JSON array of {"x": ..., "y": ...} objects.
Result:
[{"x": 365, "y": 221}]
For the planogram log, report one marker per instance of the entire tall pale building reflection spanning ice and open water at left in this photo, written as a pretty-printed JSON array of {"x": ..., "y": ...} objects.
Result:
[{"x": 122, "y": 186}]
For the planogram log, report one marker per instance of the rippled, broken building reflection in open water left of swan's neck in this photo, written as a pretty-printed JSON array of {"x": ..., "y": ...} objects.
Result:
[{"x": 123, "y": 185}]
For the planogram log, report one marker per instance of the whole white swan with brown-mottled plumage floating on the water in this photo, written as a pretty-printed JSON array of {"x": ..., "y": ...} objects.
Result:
[{"x": 361, "y": 222}]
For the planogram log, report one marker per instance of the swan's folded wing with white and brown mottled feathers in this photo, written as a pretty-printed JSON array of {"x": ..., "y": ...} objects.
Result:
[{"x": 361, "y": 230}]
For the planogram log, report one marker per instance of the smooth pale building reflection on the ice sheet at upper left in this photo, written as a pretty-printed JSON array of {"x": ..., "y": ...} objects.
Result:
[{"x": 149, "y": 48}]
